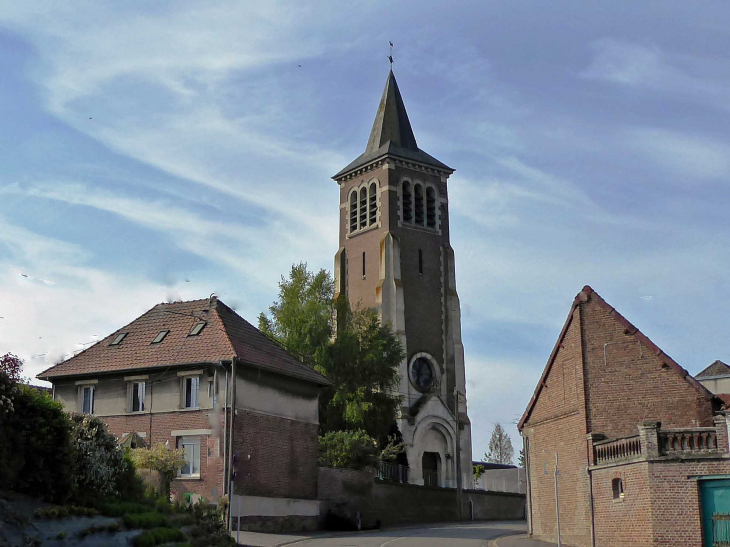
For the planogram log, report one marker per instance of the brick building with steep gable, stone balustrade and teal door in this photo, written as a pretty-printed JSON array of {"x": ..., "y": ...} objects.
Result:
[{"x": 640, "y": 446}]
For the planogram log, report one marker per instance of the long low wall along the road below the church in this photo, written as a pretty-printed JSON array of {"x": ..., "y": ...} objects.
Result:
[{"x": 346, "y": 491}]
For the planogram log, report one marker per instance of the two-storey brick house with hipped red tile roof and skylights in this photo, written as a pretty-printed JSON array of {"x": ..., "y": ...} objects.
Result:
[{"x": 167, "y": 378}]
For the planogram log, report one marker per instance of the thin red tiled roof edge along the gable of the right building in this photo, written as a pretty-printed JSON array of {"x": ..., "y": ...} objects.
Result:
[{"x": 589, "y": 294}]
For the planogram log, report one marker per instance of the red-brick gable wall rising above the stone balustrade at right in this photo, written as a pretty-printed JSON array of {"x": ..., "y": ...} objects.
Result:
[{"x": 632, "y": 385}]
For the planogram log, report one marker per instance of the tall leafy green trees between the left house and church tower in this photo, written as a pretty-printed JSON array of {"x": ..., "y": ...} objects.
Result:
[{"x": 350, "y": 347}]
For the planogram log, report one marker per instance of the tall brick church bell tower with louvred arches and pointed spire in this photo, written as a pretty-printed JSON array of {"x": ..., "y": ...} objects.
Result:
[{"x": 395, "y": 256}]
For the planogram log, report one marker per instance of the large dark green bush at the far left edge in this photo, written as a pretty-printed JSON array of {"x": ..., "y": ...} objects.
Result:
[{"x": 35, "y": 443}]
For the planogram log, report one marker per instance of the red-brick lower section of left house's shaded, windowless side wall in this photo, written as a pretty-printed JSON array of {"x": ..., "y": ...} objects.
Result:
[{"x": 276, "y": 457}]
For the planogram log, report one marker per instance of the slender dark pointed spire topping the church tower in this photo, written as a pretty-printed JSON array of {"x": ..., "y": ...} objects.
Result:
[{"x": 391, "y": 121}]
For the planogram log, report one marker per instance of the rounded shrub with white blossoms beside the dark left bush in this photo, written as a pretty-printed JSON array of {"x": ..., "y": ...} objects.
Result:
[{"x": 99, "y": 460}]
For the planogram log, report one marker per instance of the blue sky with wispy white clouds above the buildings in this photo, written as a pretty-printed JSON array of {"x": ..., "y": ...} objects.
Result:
[{"x": 160, "y": 151}]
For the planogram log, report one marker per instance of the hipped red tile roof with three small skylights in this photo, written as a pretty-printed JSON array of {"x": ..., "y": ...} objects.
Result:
[{"x": 226, "y": 335}]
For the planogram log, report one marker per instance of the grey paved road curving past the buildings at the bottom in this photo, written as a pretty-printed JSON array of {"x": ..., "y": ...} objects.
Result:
[{"x": 445, "y": 535}]
